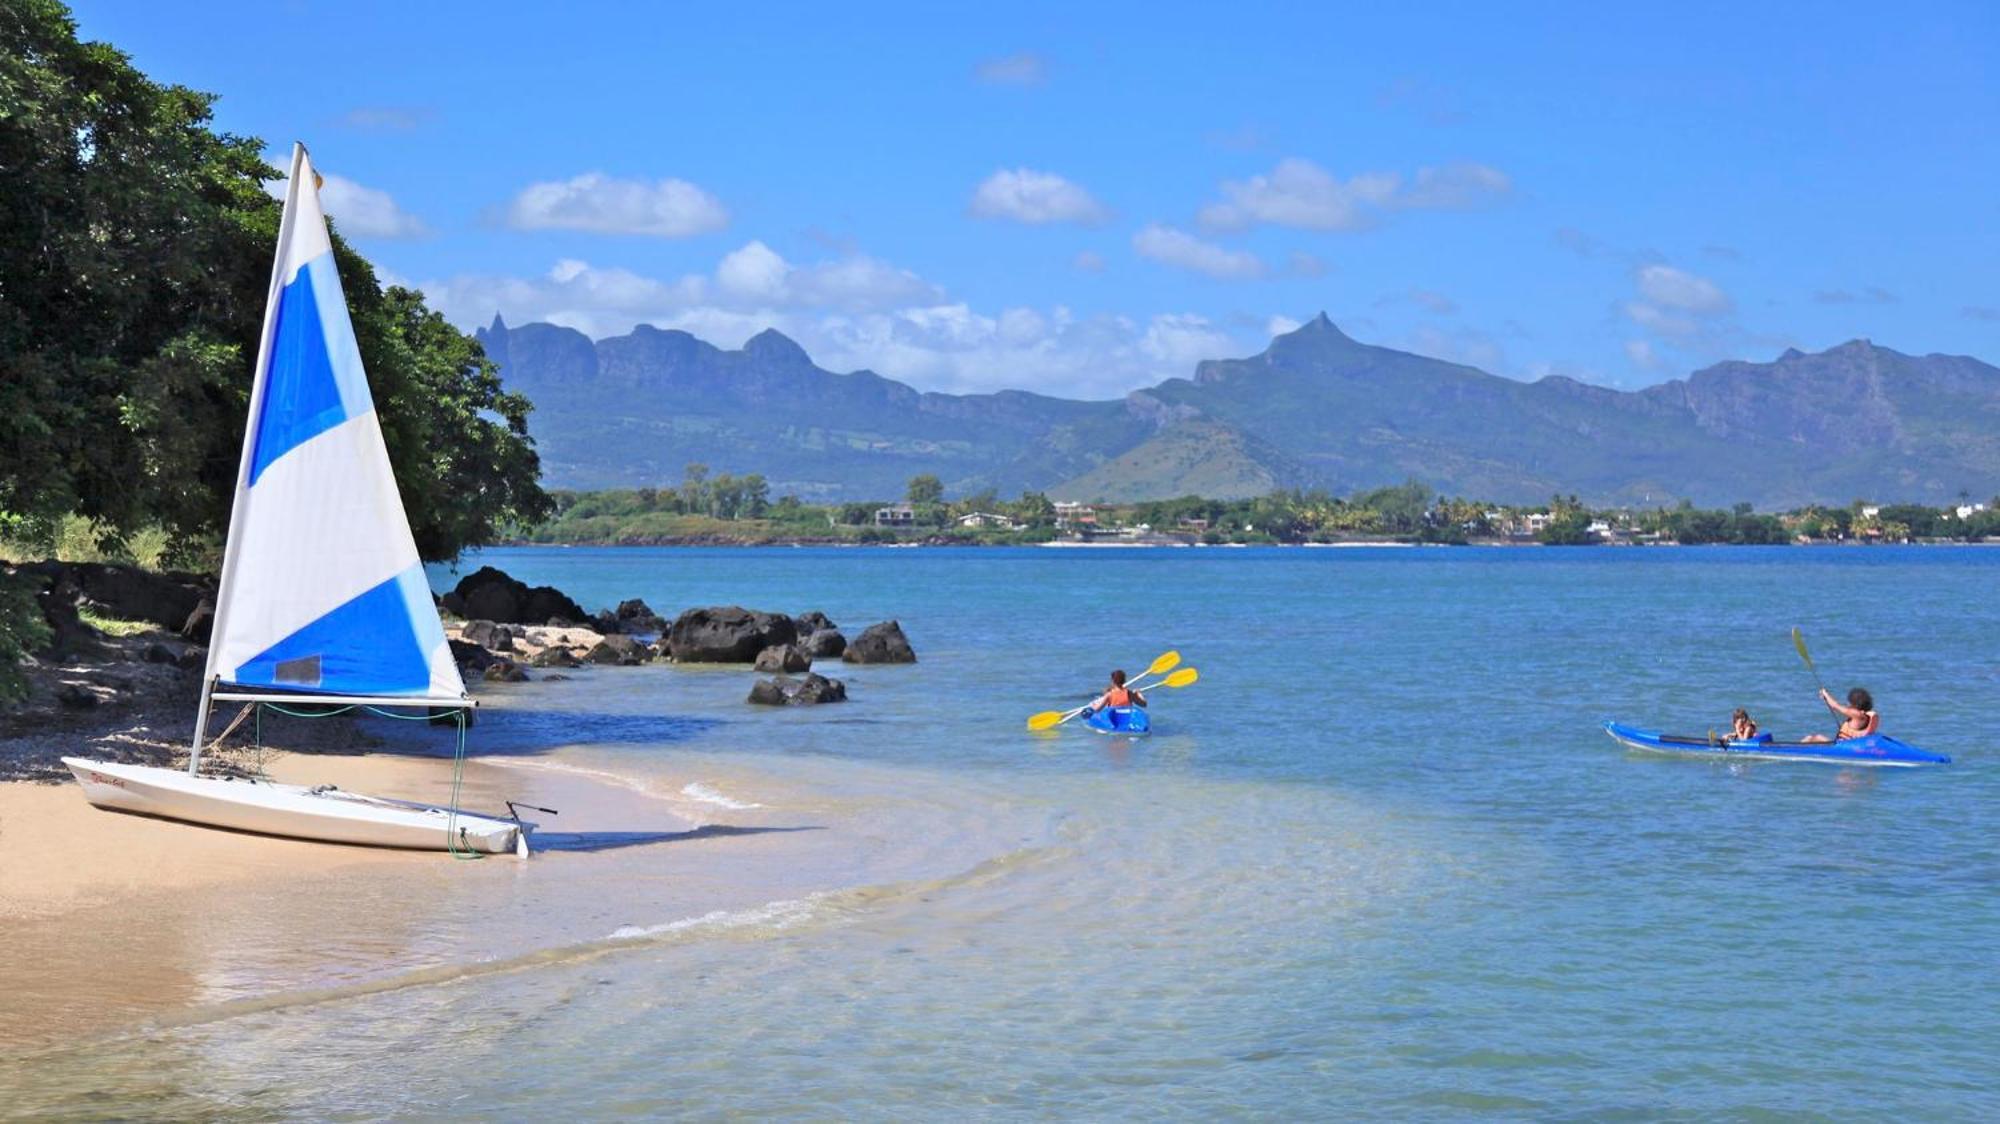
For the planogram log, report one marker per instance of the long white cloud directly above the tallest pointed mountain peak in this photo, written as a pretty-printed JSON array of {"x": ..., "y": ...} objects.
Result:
[{"x": 1303, "y": 195}]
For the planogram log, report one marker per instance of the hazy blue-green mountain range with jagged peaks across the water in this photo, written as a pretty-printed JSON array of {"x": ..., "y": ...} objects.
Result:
[{"x": 1315, "y": 409}]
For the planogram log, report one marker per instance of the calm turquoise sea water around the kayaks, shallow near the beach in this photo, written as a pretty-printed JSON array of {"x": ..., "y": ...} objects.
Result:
[{"x": 1379, "y": 863}]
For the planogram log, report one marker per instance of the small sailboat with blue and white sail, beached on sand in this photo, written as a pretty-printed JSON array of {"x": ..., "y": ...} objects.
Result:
[{"x": 323, "y": 597}]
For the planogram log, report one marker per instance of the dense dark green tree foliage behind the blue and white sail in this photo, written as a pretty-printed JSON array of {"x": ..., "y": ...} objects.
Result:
[{"x": 135, "y": 259}]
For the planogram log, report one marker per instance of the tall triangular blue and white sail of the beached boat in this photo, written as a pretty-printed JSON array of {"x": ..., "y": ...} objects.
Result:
[{"x": 323, "y": 591}]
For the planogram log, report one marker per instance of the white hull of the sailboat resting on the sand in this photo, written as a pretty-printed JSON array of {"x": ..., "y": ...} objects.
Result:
[{"x": 327, "y": 815}]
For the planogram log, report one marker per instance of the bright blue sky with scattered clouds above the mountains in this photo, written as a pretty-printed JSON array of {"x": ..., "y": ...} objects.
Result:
[{"x": 1089, "y": 199}]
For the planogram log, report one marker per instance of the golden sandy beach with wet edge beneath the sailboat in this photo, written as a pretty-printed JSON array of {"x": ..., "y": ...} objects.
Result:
[{"x": 113, "y": 921}]
